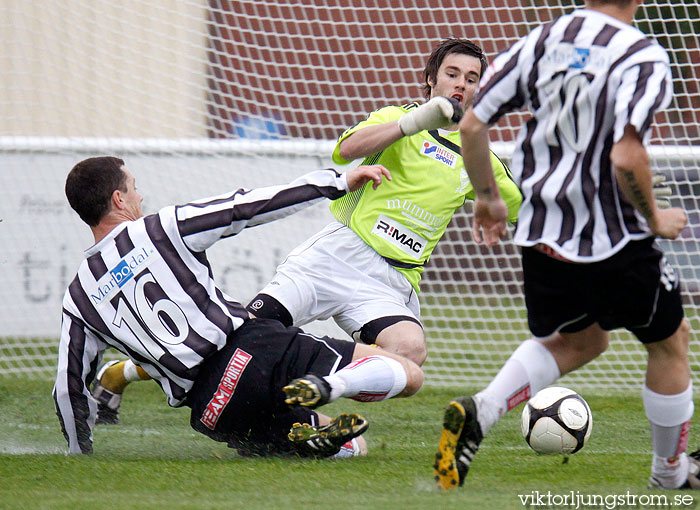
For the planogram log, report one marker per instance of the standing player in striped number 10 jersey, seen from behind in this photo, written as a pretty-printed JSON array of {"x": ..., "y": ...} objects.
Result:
[{"x": 587, "y": 225}]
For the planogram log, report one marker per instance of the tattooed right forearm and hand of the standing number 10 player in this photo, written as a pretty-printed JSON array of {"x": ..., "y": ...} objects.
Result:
[{"x": 633, "y": 172}]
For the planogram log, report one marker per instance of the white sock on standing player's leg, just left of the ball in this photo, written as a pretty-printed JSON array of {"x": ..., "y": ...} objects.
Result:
[{"x": 529, "y": 369}]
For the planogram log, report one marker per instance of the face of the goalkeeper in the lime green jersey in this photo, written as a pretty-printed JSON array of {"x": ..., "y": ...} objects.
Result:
[{"x": 457, "y": 77}]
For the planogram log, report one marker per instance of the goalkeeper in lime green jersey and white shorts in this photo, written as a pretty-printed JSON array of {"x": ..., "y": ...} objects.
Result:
[{"x": 364, "y": 269}]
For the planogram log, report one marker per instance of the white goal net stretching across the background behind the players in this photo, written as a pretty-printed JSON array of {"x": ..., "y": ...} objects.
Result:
[{"x": 204, "y": 96}]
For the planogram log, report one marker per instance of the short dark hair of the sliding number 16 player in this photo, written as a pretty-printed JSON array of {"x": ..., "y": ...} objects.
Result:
[{"x": 90, "y": 184}]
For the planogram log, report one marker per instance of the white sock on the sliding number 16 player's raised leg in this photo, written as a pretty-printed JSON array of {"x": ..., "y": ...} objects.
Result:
[{"x": 368, "y": 379}]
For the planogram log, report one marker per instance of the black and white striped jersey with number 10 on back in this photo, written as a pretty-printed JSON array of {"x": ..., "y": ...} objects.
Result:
[{"x": 584, "y": 76}]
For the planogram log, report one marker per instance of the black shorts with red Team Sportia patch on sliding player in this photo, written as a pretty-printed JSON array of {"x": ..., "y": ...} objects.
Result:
[{"x": 238, "y": 398}]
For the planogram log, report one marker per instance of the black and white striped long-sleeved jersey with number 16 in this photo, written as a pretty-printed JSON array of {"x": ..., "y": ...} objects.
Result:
[{"x": 148, "y": 290}]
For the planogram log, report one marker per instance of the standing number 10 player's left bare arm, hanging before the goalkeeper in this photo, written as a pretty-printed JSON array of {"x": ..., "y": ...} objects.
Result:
[{"x": 490, "y": 211}]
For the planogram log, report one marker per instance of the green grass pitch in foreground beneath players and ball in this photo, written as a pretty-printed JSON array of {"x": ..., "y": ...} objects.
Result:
[{"x": 154, "y": 460}]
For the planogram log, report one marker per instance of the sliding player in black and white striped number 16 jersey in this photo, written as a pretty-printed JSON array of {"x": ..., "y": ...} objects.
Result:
[{"x": 146, "y": 288}]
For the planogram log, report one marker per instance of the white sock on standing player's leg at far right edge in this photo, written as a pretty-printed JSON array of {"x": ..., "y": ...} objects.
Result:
[{"x": 669, "y": 418}]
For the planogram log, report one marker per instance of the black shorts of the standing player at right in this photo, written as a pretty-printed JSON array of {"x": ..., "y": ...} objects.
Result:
[{"x": 635, "y": 289}]
